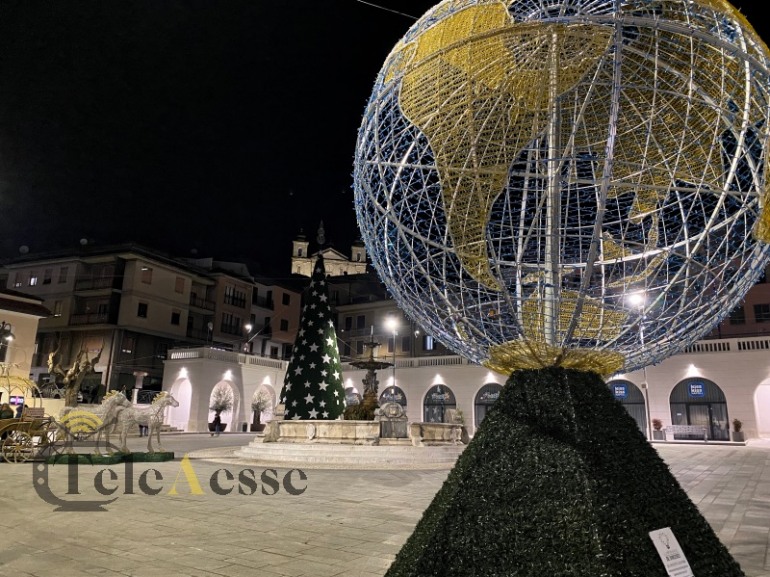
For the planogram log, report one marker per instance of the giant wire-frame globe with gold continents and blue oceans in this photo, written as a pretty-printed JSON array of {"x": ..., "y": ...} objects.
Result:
[{"x": 575, "y": 182}]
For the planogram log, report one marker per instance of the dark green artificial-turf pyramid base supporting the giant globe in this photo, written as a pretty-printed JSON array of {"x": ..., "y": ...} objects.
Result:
[{"x": 558, "y": 481}]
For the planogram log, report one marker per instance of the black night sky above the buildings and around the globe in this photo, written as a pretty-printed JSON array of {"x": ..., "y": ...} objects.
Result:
[{"x": 222, "y": 127}]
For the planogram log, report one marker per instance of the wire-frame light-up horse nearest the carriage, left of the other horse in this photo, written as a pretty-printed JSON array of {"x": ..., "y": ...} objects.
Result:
[{"x": 75, "y": 423}]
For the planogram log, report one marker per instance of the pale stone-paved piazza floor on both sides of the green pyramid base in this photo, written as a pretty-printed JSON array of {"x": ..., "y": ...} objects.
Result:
[{"x": 345, "y": 523}]
